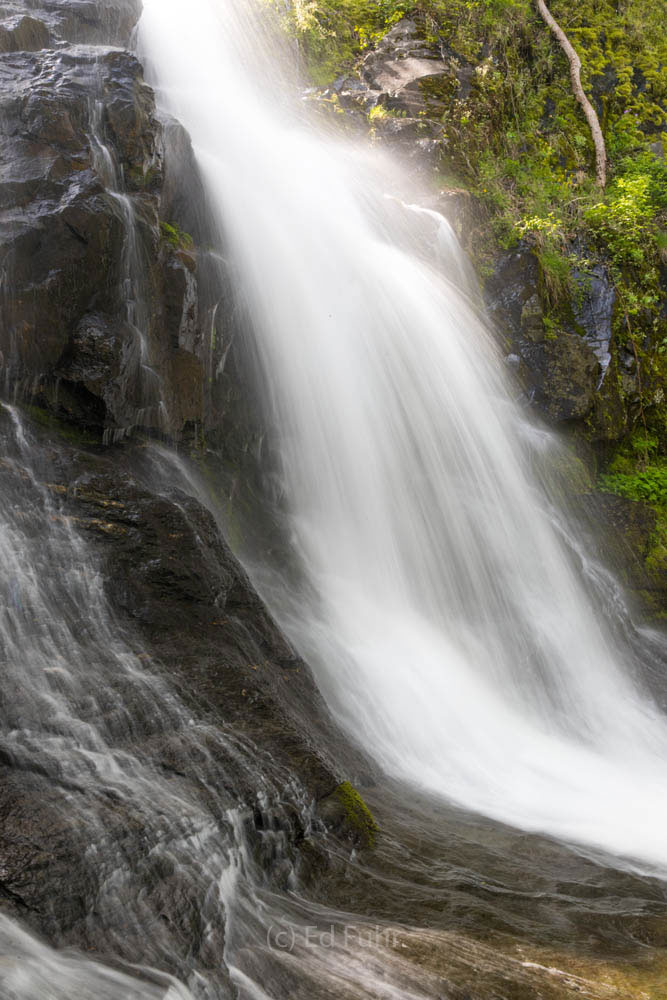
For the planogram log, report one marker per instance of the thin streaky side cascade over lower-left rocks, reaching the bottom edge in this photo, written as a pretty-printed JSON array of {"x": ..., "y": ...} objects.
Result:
[{"x": 172, "y": 891}]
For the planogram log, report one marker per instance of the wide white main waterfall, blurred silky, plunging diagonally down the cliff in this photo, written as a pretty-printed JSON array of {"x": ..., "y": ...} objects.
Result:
[{"x": 450, "y": 628}]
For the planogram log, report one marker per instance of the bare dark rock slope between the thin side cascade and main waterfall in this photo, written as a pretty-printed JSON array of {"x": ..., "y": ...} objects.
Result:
[{"x": 172, "y": 576}]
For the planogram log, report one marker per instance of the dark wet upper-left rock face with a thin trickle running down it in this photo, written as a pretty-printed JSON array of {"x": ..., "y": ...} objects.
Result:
[{"x": 99, "y": 312}]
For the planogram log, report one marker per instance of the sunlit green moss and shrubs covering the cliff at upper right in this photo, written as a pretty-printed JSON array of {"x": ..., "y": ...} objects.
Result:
[{"x": 517, "y": 140}]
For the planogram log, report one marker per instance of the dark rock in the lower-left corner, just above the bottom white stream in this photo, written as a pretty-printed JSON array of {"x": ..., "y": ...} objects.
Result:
[{"x": 52, "y": 880}]
